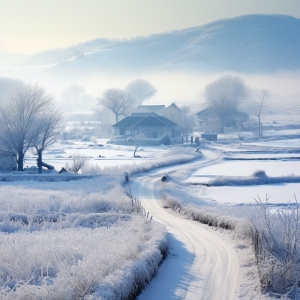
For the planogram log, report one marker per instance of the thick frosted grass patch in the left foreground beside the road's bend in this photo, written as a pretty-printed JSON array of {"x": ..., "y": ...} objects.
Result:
[{"x": 72, "y": 262}]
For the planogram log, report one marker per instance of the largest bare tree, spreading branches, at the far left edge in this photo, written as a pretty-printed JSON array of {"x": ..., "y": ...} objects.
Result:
[{"x": 17, "y": 119}]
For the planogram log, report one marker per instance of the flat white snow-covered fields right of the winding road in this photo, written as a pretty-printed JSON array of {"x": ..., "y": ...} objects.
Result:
[{"x": 238, "y": 163}]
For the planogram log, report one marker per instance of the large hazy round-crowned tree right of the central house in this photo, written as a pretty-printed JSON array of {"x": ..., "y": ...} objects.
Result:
[{"x": 225, "y": 95}]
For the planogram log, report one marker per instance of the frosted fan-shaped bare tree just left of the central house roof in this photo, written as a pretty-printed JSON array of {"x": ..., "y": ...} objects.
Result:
[{"x": 118, "y": 101}]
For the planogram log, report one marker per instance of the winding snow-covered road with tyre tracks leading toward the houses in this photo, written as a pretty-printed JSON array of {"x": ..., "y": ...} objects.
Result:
[{"x": 201, "y": 264}]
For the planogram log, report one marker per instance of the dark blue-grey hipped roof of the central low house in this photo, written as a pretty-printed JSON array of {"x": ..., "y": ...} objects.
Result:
[{"x": 144, "y": 120}]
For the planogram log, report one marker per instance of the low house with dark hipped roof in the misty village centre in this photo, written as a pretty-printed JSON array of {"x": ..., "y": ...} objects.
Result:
[{"x": 151, "y": 125}]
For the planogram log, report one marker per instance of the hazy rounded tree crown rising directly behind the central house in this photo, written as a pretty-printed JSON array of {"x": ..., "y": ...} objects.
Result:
[{"x": 141, "y": 90}]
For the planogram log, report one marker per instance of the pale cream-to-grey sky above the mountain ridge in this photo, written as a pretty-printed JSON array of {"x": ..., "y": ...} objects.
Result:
[{"x": 30, "y": 26}]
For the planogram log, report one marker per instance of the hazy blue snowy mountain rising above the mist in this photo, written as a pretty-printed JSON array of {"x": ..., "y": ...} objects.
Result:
[{"x": 252, "y": 43}]
